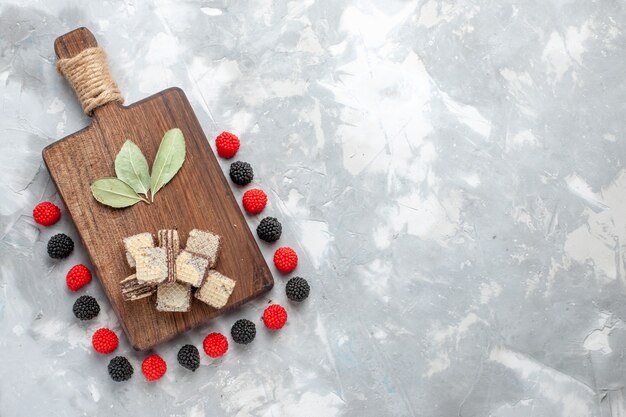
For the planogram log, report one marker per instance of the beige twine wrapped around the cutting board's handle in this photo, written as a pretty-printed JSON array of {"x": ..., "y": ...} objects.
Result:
[{"x": 89, "y": 76}]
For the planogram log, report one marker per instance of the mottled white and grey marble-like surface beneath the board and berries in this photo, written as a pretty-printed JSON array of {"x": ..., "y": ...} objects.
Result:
[{"x": 452, "y": 174}]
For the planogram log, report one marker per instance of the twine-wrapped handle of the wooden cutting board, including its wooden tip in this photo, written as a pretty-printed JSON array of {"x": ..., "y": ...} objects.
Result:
[{"x": 84, "y": 65}]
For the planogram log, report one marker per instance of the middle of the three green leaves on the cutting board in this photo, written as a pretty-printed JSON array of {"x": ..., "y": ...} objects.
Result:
[{"x": 132, "y": 168}]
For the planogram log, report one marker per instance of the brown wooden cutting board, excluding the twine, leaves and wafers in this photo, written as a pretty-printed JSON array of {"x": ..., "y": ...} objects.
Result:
[{"x": 199, "y": 196}]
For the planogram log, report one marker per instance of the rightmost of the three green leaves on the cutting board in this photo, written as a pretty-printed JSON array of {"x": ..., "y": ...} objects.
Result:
[{"x": 169, "y": 159}]
